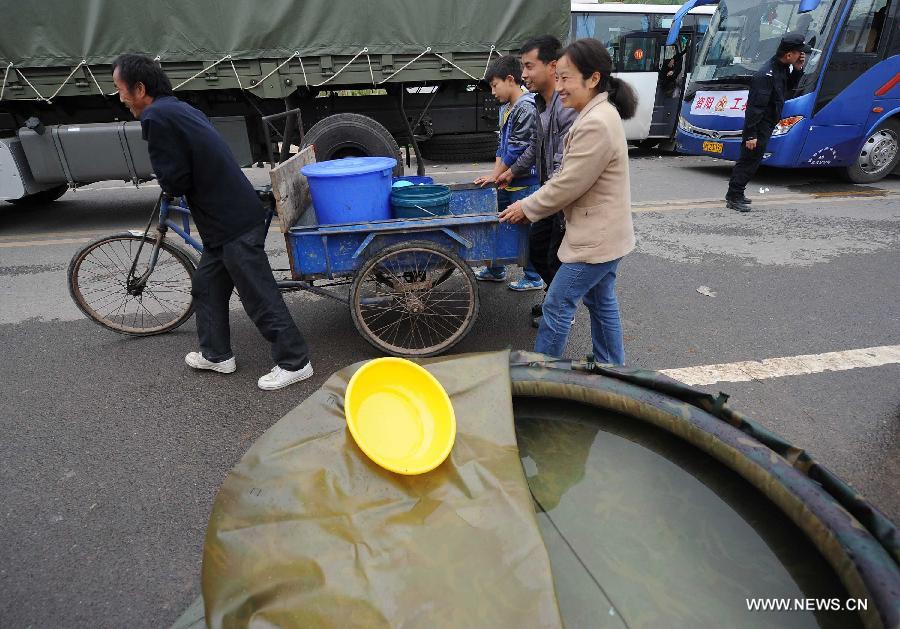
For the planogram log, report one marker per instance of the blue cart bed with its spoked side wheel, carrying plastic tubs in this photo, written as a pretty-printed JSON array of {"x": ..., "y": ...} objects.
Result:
[{"x": 412, "y": 290}]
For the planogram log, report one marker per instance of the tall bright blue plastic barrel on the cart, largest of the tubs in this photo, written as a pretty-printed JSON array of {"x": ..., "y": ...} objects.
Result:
[{"x": 351, "y": 190}]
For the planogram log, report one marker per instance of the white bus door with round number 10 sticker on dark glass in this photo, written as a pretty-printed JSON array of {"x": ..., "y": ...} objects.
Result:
[{"x": 638, "y": 64}]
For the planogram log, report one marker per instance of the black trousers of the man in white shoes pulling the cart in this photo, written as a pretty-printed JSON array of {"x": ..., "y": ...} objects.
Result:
[{"x": 242, "y": 263}]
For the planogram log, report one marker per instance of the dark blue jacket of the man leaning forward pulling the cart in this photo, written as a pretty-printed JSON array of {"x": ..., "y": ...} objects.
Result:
[{"x": 190, "y": 158}]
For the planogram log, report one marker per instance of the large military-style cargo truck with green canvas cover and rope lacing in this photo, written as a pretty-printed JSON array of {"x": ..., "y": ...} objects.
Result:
[{"x": 352, "y": 78}]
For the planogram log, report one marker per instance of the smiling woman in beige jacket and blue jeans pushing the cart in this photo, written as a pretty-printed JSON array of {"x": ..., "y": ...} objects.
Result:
[{"x": 593, "y": 189}]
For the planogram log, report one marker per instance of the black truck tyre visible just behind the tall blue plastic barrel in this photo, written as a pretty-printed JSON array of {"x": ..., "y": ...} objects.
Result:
[{"x": 353, "y": 135}]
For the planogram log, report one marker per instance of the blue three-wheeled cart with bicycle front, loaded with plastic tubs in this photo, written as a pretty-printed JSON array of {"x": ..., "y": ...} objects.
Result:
[{"x": 411, "y": 288}]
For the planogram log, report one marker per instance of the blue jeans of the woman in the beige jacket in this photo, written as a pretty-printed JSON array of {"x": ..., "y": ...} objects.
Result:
[{"x": 595, "y": 285}]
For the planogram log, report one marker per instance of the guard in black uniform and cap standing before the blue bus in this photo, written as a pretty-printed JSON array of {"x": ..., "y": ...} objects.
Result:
[{"x": 776, "y": 79}]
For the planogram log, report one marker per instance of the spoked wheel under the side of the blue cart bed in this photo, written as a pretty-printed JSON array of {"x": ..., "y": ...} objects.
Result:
[{"x": 414, "y": 299}]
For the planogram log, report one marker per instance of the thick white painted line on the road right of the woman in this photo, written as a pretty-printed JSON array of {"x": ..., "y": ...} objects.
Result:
[{"x": 747, "y": 371}]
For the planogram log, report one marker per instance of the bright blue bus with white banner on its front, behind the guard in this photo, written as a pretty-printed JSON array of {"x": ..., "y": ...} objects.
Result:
[{"x": 845, "y": 112}]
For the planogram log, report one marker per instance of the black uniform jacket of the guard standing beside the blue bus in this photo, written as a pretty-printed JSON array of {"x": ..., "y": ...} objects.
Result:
[{"x": 771, "y": 84}]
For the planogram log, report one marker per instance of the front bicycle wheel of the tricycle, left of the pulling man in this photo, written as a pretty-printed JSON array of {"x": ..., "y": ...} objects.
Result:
[{"x": 98, "y": 276}]
